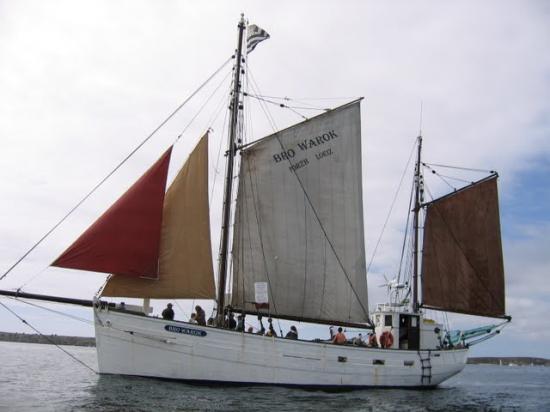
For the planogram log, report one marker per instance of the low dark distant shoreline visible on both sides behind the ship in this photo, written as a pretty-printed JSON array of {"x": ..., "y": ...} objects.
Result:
[{"x": 90, "y": 342}]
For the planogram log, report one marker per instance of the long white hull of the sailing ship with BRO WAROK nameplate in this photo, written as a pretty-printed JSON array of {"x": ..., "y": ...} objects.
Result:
[{"x": 137, "y": 345}]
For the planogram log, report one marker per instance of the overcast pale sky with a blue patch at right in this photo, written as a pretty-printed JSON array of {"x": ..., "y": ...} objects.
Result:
[{"x": 82, "y": 83}]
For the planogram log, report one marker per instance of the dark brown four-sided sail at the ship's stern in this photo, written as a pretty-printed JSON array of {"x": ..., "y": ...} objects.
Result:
[{"x": 462, "y": 268}]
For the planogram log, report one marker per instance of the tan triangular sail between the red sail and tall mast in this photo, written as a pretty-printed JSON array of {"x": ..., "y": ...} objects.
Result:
[{"x": 185, "y": 250}]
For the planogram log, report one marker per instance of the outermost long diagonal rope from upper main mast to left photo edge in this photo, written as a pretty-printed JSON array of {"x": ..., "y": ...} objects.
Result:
[{"x": 115, "y": 169}]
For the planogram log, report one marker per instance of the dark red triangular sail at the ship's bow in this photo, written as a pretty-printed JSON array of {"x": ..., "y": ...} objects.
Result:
[{"x": 125, "y": 239}]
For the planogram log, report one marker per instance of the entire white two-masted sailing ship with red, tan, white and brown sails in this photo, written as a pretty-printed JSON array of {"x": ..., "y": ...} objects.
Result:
[{"x": 297, "y": 253}]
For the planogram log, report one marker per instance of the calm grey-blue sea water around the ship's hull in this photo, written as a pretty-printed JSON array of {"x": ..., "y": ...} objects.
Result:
[{"x": 41, "y": 377}]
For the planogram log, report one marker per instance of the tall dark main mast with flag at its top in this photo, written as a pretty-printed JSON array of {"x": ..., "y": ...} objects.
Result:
[{"x": 234, "y": 109}]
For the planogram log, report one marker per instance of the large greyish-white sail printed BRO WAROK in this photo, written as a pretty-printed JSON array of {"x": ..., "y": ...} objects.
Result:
[{"x": 299, "y": 222}]
